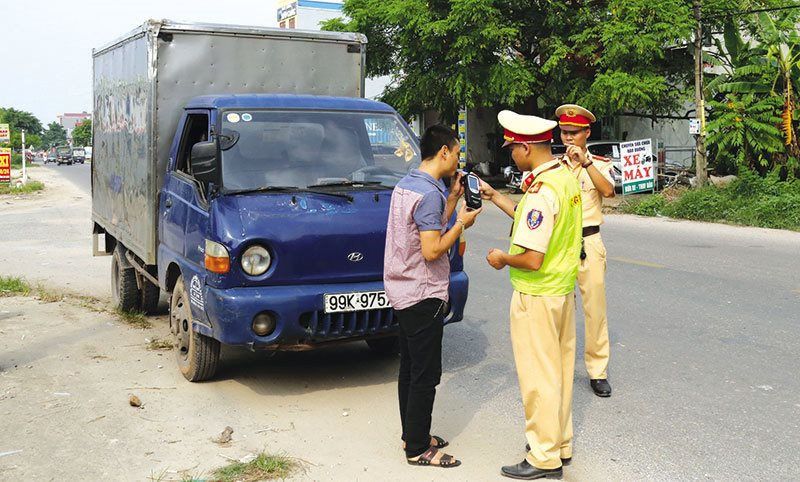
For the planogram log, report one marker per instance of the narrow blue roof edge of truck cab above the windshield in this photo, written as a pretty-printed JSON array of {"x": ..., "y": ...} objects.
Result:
[{"x": 287, "y": 101}]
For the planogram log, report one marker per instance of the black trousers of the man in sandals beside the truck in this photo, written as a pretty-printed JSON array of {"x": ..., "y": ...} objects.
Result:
[{"x": 420, "y": 370}]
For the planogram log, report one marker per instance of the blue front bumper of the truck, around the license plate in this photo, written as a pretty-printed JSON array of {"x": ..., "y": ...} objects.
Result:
[{"x": 301, "y": 322}]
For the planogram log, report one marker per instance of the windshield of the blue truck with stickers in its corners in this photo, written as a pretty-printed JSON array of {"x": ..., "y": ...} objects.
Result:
[{"x": 306, "y": 148}]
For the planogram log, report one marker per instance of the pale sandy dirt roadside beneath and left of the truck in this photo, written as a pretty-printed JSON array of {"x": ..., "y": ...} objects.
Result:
[{"x": 67, "y": 372}]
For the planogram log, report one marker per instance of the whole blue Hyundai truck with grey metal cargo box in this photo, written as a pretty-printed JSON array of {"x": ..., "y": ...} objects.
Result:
[{"x": 239, "y": 171}]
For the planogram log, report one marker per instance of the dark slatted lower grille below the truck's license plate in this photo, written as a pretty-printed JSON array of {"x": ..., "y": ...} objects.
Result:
[{"x": 342, "y": 325}]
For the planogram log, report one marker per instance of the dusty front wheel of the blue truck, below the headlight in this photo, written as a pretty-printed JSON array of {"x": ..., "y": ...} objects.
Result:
[{"x": 197, "y": 355}]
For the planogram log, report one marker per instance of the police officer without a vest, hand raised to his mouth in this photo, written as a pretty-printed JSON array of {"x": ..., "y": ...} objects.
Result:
[{"x": 594, "y": 175}]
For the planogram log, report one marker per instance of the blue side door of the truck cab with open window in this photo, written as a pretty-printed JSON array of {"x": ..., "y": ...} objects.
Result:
[{"x": 182, "y": 193}]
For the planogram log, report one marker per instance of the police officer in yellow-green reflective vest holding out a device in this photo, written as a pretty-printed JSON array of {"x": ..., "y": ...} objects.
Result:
[{"x": 543, "y": 264}]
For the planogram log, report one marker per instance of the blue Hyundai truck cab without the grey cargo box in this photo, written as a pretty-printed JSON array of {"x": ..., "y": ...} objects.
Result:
[{"x": 272, "y": 224}]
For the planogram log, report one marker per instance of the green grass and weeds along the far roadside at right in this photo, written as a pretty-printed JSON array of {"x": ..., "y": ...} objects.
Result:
[{"x": 750, "y": 200}]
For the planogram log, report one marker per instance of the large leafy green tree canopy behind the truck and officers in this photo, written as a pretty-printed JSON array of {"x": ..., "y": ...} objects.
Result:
[{"x": 612, "y": 56}]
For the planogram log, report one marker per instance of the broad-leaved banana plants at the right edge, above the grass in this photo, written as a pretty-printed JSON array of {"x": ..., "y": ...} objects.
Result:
[{"x": 753, "y": 117}]
